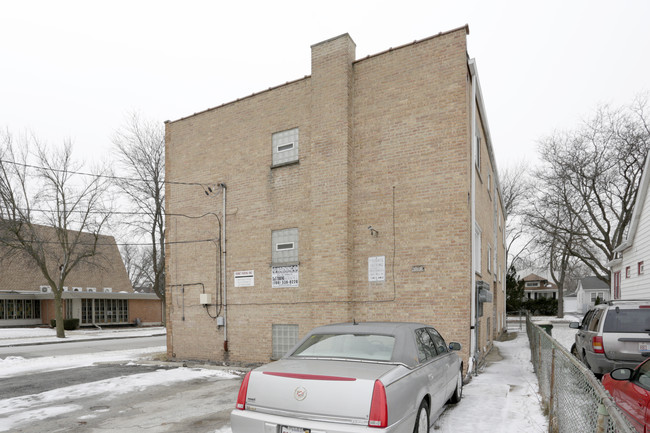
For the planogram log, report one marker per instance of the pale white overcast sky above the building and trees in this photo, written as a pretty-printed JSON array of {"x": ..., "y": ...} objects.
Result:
[{"x": 75, "y": 69}]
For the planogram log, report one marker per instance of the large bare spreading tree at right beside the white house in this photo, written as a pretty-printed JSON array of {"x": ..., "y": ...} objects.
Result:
[{"x": 590, "y": 177}]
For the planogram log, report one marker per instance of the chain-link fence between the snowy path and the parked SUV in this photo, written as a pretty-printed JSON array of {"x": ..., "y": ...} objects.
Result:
[{"x": 575, "y": 400}]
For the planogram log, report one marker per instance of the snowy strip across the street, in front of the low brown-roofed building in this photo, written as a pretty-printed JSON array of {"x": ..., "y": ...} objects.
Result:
[{"x": 30, "y": 336}]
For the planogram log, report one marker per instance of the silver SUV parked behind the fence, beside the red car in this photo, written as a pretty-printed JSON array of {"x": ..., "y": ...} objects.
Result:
[{"x": 613, "y": 335}]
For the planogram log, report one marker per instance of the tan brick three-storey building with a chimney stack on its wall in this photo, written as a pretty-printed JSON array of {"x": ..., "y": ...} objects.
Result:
[{"x": 366, "y": 191}]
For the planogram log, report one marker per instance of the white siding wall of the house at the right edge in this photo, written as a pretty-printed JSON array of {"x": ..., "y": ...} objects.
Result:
[{"x": 636, "y": 286}]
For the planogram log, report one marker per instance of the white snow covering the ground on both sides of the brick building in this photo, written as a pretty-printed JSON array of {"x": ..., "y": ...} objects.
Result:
[{"x": 503, "y": 398}]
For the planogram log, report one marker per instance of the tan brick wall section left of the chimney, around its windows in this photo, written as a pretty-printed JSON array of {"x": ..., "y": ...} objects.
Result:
[{"x": 232, "y": 145}]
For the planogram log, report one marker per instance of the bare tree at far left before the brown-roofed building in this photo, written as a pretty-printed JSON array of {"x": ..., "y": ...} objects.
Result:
[{"x": 49, "y": 218}]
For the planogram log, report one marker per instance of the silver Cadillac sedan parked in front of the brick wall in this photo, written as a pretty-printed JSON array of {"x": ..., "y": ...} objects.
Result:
[{"x": 365, "y": 377}]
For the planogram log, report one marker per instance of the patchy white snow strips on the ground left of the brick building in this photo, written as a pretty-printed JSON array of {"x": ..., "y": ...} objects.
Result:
[{"x": 33, "y": 411}]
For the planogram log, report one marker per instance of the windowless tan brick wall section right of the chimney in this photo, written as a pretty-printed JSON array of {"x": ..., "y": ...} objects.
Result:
[{"x": 411, "y": 183}]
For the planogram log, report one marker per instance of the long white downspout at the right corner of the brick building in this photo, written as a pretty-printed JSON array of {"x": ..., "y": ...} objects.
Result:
[{"x": 473, "y": 322}]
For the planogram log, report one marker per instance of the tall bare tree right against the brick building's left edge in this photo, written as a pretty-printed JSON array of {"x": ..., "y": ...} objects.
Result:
[{"x": 141, "y": 152}]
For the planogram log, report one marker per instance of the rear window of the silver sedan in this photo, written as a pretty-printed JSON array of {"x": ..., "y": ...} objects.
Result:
[{"x": 348, "y": 346}]
